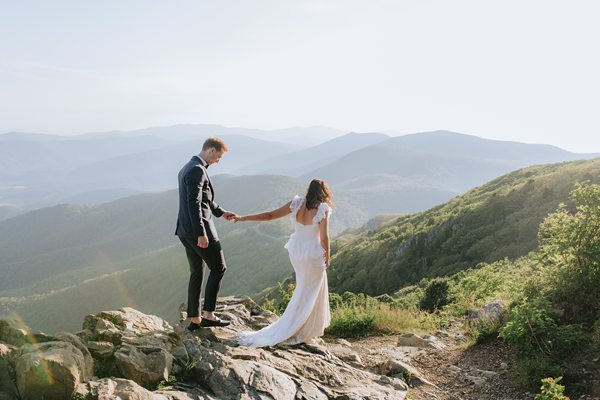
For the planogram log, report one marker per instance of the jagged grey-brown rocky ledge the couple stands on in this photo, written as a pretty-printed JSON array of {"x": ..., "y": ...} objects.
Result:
[{"x": 130, "y": 355}]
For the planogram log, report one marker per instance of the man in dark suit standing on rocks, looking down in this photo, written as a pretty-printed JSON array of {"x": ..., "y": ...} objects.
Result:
[{"x": 197, "y": 232}]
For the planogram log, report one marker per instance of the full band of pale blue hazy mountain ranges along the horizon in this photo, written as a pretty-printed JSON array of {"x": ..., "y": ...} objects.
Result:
[{"x": 417, "y": 170}]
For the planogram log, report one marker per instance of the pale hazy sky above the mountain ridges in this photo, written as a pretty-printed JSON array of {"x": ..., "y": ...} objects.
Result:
[{"x": 513, "y": 70}]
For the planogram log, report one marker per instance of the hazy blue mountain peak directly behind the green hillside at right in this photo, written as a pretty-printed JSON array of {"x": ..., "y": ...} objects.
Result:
[{"x": 441, "y": 159}]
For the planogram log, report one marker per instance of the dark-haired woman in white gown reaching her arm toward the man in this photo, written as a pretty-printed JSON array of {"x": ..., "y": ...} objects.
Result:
[{"x": 307, "y": 314}]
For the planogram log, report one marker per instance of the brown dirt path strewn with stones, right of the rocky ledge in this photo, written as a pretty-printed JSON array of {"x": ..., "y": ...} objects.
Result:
[{"x": 455, "y": 372}]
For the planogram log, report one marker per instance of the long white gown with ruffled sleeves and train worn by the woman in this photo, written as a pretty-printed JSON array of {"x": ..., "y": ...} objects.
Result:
[{"x": 307, "y": 314}]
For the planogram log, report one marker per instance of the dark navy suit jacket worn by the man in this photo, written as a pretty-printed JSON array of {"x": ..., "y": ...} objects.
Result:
[{"x": 196, "y": 202}]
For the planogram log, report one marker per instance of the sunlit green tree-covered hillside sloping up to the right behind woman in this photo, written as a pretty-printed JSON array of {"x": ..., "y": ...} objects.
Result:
[{"x": 499, "y": 219}]
